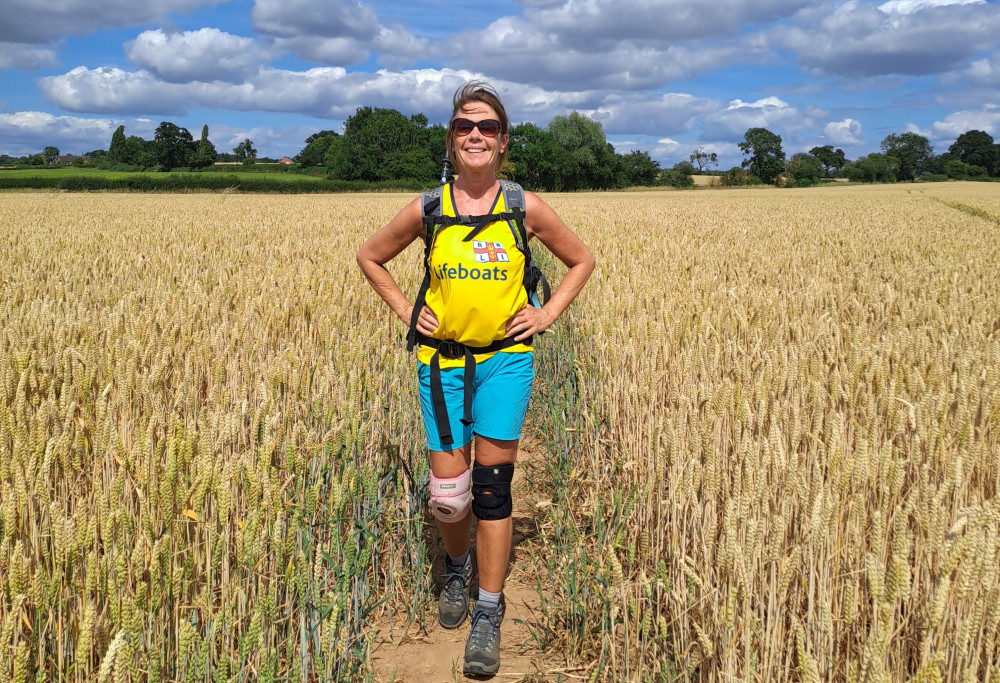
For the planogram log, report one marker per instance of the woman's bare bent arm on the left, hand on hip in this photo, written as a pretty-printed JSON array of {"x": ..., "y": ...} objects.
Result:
[{"x": 384, "y": 246}]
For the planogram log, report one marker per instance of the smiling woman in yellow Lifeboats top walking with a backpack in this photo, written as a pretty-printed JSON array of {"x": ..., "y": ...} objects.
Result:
[{"x": 475, "y": 364}]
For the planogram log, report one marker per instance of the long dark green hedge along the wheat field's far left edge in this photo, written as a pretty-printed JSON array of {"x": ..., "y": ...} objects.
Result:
[{"x": 208, "y": 182}]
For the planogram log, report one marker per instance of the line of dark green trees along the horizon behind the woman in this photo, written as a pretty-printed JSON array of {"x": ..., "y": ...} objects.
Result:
[{"x": 570, "y": 153}]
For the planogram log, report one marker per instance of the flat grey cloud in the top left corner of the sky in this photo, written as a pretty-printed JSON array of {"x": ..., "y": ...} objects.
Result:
[{"x": 31, "y": 21}]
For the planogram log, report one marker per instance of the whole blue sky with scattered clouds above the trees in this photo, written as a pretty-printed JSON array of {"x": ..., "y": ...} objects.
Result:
[{"x": 663, "y": 76}]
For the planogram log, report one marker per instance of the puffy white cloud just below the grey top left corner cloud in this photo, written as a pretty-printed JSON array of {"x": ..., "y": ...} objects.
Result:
[{"x": 207, "y": 54}]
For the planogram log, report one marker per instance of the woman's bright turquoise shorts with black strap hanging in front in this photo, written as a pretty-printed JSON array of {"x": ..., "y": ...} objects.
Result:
[{"x": 500, "y": 393}]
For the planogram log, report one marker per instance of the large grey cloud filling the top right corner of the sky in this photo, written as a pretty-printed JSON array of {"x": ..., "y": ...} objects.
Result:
[{"x": 908, "y": 37}]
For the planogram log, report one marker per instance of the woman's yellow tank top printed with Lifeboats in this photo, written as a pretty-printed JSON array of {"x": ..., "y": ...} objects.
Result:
[{"x": 475, "y": 286}]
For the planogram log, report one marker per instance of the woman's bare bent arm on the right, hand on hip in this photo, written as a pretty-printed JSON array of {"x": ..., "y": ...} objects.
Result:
[{"x": 542, "y": 222}]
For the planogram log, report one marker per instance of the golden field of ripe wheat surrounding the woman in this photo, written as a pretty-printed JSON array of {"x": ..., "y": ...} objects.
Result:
[{"x": 772, "y": 421}]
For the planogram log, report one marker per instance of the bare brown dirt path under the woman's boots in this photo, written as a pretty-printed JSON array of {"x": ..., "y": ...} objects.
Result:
[{"x": 415, "y": 657}]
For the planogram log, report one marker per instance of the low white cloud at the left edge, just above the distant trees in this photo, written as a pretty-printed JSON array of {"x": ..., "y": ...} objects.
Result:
[{"x": 27, "y": 132}]
